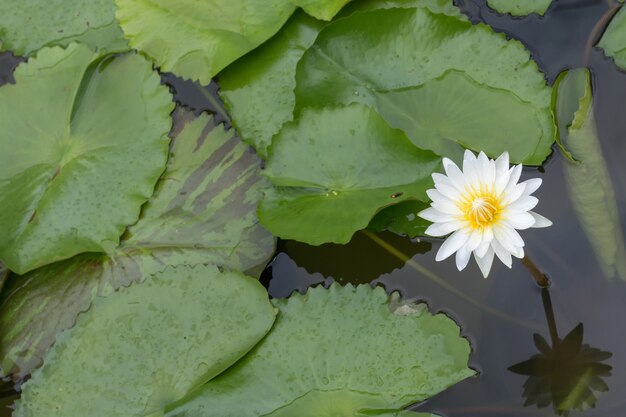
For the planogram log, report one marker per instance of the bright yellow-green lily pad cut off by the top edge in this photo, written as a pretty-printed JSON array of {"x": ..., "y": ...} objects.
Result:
[{"x": 195, "y": 40}]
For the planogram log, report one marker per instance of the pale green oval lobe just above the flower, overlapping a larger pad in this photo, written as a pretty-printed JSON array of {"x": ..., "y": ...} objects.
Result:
[{"x": 453, "y": 113}]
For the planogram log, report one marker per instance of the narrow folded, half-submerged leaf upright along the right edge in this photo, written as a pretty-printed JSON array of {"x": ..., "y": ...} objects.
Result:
[{"x": 588, "y": 181}]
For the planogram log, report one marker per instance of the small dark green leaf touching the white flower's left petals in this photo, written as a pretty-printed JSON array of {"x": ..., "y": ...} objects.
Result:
[{"x": 402, "y": 219}]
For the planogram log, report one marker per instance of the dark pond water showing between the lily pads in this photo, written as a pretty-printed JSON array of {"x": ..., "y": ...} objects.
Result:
[{"x": 499, "y": 315}]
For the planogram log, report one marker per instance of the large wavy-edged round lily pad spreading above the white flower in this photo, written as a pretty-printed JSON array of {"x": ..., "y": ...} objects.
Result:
[{"x": 363, "y": 57}]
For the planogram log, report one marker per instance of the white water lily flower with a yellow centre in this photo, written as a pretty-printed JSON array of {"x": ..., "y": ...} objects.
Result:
[{"x": 482, "y": 206}]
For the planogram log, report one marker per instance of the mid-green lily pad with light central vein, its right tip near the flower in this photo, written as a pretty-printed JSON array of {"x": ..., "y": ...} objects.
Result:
[{"x": 334, "y": 168}]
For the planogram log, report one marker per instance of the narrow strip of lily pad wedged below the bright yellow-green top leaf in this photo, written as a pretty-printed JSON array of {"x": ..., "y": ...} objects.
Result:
[{"x": 258, "y": 88}]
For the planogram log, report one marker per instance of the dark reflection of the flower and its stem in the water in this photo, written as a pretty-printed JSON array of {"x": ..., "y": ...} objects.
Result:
[{"x": 566, "y": 373}]
